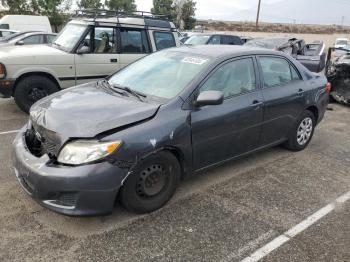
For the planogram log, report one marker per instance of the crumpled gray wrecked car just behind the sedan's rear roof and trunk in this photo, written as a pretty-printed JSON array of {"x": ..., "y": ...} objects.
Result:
[{"x": 311, "y": 55}]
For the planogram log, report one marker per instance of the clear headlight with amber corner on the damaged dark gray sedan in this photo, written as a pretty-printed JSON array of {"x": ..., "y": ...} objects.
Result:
[{"x": 85, "y": 151}]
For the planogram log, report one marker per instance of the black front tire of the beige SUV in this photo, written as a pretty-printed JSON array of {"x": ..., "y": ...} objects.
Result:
[{"x": 31, "y": 89}]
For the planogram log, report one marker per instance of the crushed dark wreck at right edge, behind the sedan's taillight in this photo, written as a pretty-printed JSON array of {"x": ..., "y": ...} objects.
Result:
[{"x": 338, "y": 74}]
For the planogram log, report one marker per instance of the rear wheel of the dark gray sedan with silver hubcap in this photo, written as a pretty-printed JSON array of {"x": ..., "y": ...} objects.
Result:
[{"x": 295, "y": 142}]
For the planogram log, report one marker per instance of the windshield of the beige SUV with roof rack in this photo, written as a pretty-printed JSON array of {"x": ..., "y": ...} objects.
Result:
[{"x": 69, "y": 36}]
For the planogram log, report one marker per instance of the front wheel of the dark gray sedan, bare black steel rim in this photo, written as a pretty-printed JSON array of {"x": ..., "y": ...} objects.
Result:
[{"x": 136, "y": 196}]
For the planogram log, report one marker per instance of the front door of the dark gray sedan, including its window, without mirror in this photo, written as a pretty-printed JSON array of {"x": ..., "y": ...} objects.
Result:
[{"x": 223, "y": 131}]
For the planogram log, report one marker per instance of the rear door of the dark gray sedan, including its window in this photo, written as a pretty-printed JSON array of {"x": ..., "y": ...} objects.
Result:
[{"x": 283, "y": 92}]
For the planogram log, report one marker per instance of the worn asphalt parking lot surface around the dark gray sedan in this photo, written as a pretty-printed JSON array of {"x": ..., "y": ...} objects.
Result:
[{"x": 224, "y": 214}]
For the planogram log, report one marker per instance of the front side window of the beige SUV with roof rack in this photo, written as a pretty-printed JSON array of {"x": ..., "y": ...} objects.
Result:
[{"x": 104, "y": 41}]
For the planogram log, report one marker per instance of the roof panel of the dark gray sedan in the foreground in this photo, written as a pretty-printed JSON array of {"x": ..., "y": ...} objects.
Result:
[{"x": 225, "y": 50}]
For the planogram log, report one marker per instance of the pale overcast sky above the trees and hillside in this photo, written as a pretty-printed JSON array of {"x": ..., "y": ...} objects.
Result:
[{"x": 276, "y": 11}]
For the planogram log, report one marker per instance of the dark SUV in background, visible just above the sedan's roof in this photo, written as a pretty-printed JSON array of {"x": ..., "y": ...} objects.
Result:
[{"x": 213, "y": 39}]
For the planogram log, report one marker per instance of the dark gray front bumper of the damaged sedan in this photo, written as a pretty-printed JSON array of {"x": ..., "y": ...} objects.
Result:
[{"x": 76, "y": 191}]
